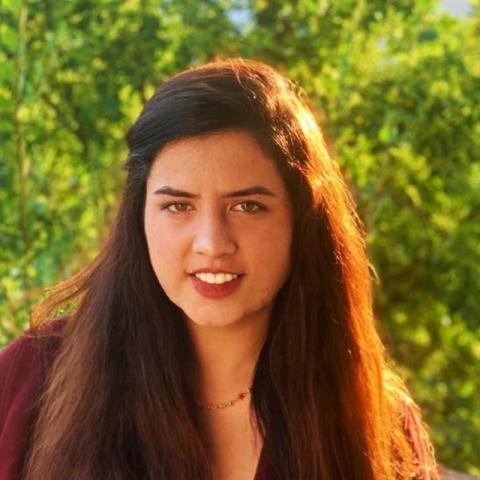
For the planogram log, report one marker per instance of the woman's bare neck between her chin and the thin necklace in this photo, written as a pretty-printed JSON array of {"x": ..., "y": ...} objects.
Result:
[{"x": 226, "y": 358}]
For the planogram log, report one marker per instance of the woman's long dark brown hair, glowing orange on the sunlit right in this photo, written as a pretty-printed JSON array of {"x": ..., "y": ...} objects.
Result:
[{"x": 117, "y": 400}]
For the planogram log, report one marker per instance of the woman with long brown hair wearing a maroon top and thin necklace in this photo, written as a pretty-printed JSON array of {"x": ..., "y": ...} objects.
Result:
[{"x": 225, "y": 331}]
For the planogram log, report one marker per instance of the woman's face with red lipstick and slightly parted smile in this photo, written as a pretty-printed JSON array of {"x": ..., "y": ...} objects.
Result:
[{"x": 218, "y": 224}]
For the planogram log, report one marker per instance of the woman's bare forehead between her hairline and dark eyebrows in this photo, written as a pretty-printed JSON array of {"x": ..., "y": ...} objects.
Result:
[{"x": 232, "y": 157}]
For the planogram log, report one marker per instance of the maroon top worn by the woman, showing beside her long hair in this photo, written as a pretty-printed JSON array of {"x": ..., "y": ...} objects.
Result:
[{"x": 22, "y": 367}]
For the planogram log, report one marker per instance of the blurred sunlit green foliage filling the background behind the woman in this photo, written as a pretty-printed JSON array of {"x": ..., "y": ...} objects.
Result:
[{"x": 396, "y": 86}]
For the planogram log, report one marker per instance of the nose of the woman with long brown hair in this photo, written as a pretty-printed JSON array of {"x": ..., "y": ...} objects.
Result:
[{"x": 213, "y": 237}]
